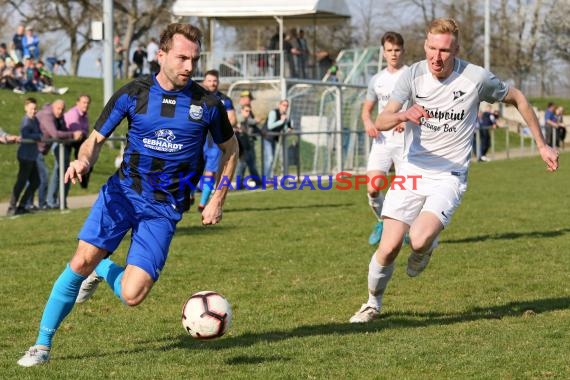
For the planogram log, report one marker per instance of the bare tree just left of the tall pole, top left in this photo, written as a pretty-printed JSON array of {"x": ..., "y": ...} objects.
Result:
[{"x": 73, "y": 18}]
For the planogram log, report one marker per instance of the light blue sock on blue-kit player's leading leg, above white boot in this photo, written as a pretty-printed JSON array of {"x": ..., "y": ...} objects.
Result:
[{"x": 59, "y": 304}]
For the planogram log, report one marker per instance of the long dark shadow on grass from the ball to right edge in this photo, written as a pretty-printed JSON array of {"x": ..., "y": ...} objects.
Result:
[{"x": 398, "y": 320}]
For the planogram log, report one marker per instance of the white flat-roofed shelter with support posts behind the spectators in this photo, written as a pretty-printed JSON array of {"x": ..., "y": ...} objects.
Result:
[{"x": 264, "y": 12}]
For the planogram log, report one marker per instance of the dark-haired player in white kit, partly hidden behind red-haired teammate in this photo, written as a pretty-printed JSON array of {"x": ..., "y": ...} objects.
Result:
[{"x": 387, "y": 146}]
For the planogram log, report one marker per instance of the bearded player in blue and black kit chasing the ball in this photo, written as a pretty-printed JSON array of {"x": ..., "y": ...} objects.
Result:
[{"x": 169, "y": 117}]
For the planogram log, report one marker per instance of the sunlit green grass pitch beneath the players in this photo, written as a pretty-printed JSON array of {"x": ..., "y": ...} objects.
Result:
[{"x": 493, "y": 304}]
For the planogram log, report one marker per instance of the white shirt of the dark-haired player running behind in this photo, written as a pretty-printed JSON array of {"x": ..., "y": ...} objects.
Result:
[{"x": 380, "y": 89}]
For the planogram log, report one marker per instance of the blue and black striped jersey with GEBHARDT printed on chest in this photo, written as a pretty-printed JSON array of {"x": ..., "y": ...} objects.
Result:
[{"x": 163, "y": 157}]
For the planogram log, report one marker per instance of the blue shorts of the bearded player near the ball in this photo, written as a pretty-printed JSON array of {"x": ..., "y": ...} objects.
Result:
[{"x": 119, "y": 209}]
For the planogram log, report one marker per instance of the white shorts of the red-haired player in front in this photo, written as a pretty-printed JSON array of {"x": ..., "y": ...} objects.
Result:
[{"x": 440, "y": 195}]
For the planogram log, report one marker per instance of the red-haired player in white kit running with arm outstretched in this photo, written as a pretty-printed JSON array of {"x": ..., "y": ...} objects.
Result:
[{"x": 444, "y": 93}]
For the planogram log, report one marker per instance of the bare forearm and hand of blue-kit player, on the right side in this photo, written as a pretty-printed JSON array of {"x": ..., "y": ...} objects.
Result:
[{"x": 212, "y": 214}]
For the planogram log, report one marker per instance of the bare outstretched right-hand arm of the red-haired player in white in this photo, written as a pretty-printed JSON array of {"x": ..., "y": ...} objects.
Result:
[{"x": 548, "y": 154}]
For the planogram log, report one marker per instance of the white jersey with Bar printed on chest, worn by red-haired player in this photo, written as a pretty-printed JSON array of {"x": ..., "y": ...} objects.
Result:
[{"x": 443, "y": 142}]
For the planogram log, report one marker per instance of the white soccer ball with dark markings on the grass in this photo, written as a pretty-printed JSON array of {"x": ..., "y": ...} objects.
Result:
[{"x": 206, "y": 315}]
